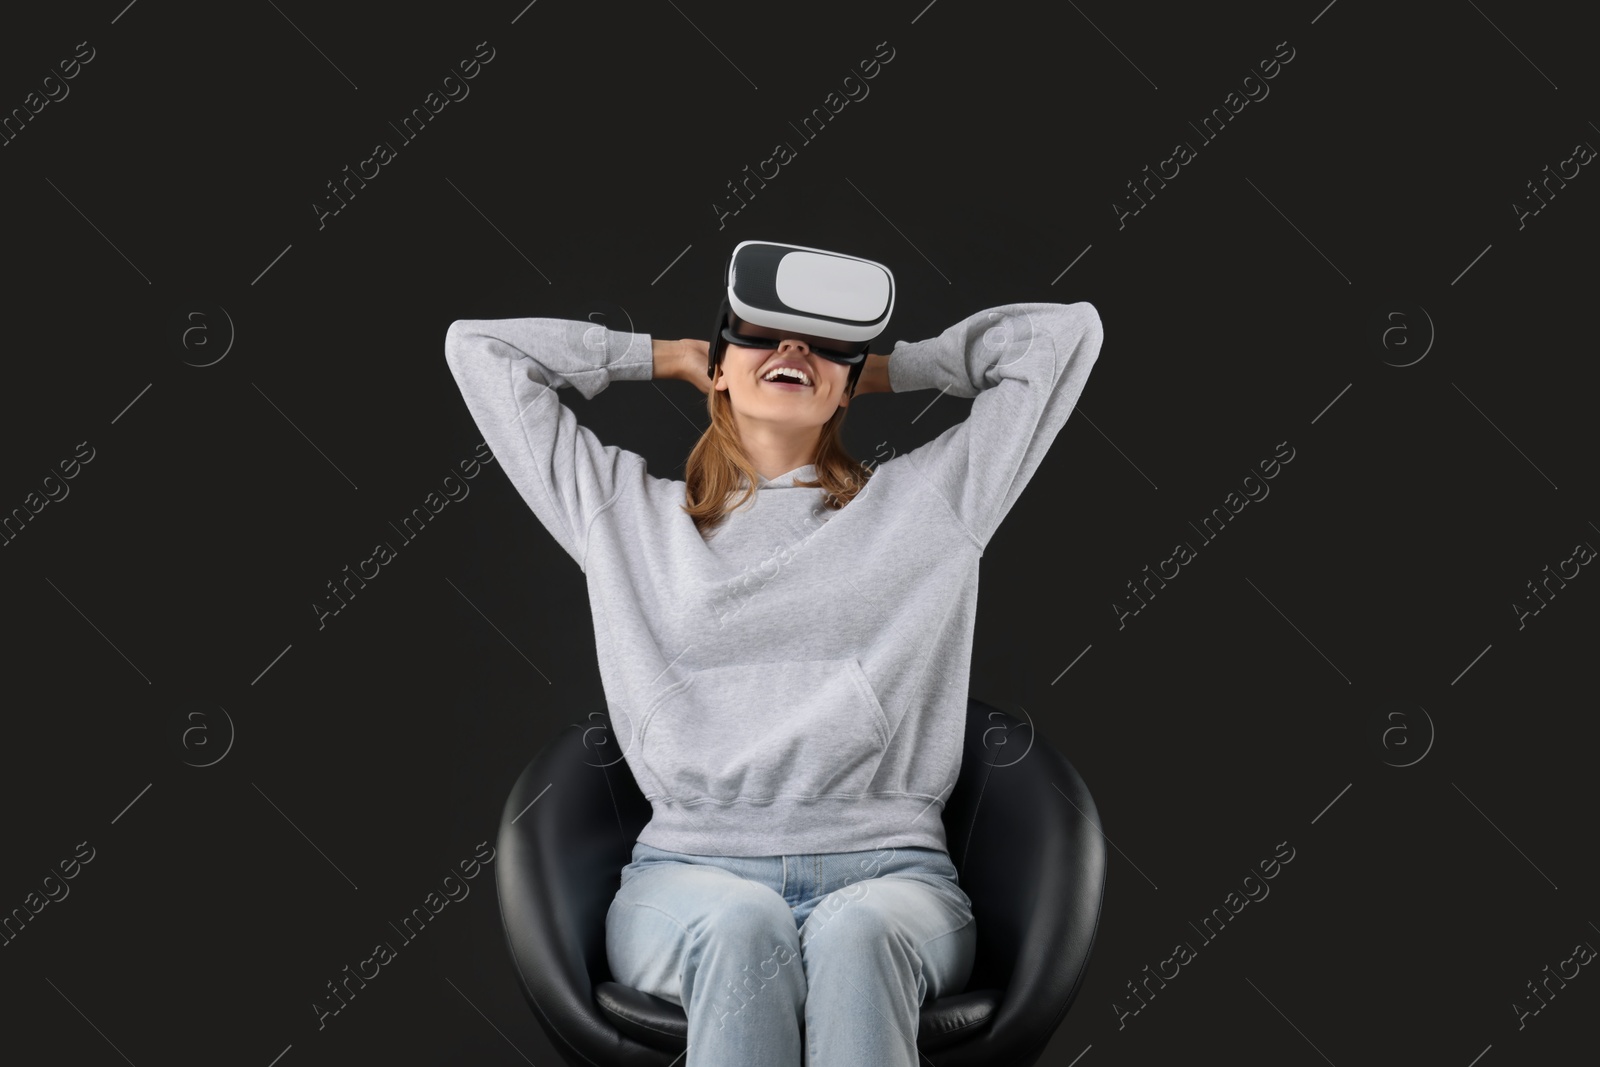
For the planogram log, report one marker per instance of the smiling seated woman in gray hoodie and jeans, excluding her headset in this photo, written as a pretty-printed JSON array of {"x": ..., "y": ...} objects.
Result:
[{"x": 785, "y": 641}]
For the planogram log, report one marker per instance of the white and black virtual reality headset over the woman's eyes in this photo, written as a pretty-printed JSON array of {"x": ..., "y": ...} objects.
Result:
[{"x": 836, "y": 303}]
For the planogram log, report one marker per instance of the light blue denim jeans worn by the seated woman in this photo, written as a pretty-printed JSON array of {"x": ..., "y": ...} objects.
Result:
[{"x": 780, "y": 961}]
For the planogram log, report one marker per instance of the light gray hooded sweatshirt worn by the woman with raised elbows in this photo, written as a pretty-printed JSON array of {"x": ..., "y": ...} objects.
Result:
[{"x": 798, "y": 681}]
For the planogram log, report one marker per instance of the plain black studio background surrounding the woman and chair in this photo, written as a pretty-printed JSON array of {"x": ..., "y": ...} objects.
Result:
[{"x": 1342, "y": 226}]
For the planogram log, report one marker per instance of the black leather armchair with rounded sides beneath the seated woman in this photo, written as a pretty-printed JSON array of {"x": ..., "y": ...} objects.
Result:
[{"x": 1022, "y": 829}]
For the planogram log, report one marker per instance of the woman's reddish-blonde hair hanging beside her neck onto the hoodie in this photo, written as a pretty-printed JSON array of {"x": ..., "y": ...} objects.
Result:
[{"x": 718, "y": 463}]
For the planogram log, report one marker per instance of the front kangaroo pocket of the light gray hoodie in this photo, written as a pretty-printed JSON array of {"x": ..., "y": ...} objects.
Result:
[{"x": 759, "y": 732}]
